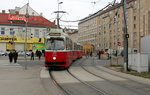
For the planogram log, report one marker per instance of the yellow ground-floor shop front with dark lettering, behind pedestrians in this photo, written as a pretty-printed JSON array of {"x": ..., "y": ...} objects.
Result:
[{"x": 8, "y": 43}]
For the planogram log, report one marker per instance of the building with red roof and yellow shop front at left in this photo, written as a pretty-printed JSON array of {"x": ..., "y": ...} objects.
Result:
[{"x": 18, "y": 30}]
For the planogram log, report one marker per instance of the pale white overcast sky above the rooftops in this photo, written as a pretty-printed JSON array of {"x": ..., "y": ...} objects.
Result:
[{"x": 76, "y": 9}]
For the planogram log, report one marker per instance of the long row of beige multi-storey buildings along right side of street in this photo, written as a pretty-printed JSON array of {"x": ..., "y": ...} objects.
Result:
[{"x": 109, "y": 25}]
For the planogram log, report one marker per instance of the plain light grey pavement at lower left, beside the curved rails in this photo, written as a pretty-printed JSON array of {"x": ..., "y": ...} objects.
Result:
[{"x": 15, "y": 80}]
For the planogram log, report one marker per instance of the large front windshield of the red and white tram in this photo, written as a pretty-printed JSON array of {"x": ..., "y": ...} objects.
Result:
[{"x": 55, "y": 43}]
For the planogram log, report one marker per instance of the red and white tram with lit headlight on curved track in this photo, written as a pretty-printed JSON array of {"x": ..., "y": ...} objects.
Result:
[{"x": 60, "y": 50}]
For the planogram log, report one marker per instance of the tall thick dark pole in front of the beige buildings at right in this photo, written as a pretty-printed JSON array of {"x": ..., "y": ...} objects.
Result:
[{"x": 126, "y": 36}]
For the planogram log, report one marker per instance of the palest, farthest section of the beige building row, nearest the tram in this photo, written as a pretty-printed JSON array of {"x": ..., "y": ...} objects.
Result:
[{"x": 88, "y": 30}]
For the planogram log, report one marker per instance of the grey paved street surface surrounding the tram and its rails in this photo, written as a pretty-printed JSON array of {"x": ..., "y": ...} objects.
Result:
[{"x": 15, "y": 80}]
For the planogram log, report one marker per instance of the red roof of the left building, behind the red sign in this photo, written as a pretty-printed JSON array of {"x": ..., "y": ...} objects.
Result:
[{"x": 32, "y": 20}]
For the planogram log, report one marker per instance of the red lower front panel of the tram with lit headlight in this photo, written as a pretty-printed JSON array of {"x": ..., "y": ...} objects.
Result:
[{"x": 58, "y": 58}]
